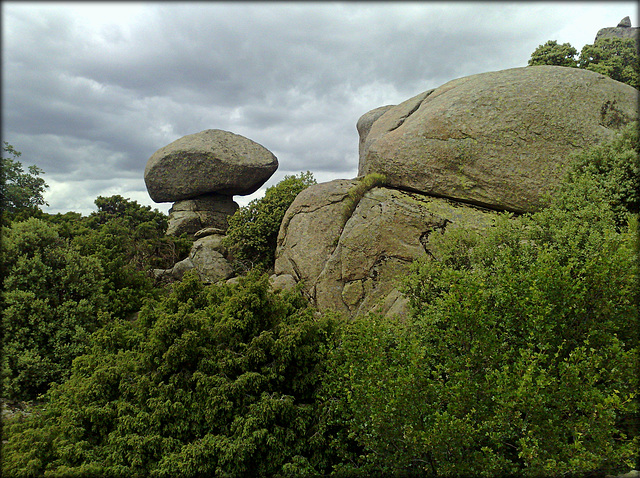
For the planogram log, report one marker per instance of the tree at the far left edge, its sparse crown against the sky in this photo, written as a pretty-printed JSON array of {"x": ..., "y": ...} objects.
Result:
[{"x": 20, "y": 190}]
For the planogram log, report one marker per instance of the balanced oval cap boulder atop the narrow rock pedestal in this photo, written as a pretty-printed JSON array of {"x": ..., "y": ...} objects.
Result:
[{"x": 212, "y": 161}]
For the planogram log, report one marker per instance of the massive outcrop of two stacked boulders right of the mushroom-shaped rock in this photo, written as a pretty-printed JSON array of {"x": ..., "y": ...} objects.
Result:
[{"x": 453, "y": 157}]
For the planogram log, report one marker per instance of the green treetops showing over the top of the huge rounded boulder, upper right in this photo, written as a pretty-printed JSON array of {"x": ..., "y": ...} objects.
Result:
[{"x": 616, "y": 58}]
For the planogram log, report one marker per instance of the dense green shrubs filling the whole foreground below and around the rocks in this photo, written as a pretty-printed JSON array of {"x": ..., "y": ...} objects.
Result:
[{"x": 520, "y": 355}]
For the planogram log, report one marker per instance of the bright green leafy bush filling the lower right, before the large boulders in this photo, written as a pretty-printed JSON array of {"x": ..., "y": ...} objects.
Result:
[{"x": 521, "y": 354}]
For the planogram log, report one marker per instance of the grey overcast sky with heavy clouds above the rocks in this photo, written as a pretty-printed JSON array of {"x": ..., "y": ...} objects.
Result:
[{"x": 91, "y": 91}]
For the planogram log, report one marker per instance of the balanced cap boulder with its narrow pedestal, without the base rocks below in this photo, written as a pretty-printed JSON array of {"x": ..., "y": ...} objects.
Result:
[{"x": 201, "y": 172}]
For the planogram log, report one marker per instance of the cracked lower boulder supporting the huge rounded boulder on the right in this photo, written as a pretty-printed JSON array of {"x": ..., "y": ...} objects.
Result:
[{"x": 354, "y": 267}]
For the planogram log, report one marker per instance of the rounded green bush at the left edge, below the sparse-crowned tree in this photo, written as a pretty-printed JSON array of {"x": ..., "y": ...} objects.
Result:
[{"x": 53, "y": 300}]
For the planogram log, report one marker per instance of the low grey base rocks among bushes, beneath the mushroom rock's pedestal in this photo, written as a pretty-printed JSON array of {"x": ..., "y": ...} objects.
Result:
[{"x": 207, "y": 257}]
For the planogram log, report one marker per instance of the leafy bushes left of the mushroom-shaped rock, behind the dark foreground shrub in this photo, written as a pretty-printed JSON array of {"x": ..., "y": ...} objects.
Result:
[{"x": 67, "y": 275}]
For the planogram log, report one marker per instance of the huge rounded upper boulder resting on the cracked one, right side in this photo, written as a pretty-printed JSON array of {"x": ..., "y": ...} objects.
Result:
[{"x": 498, "y": 139}]
